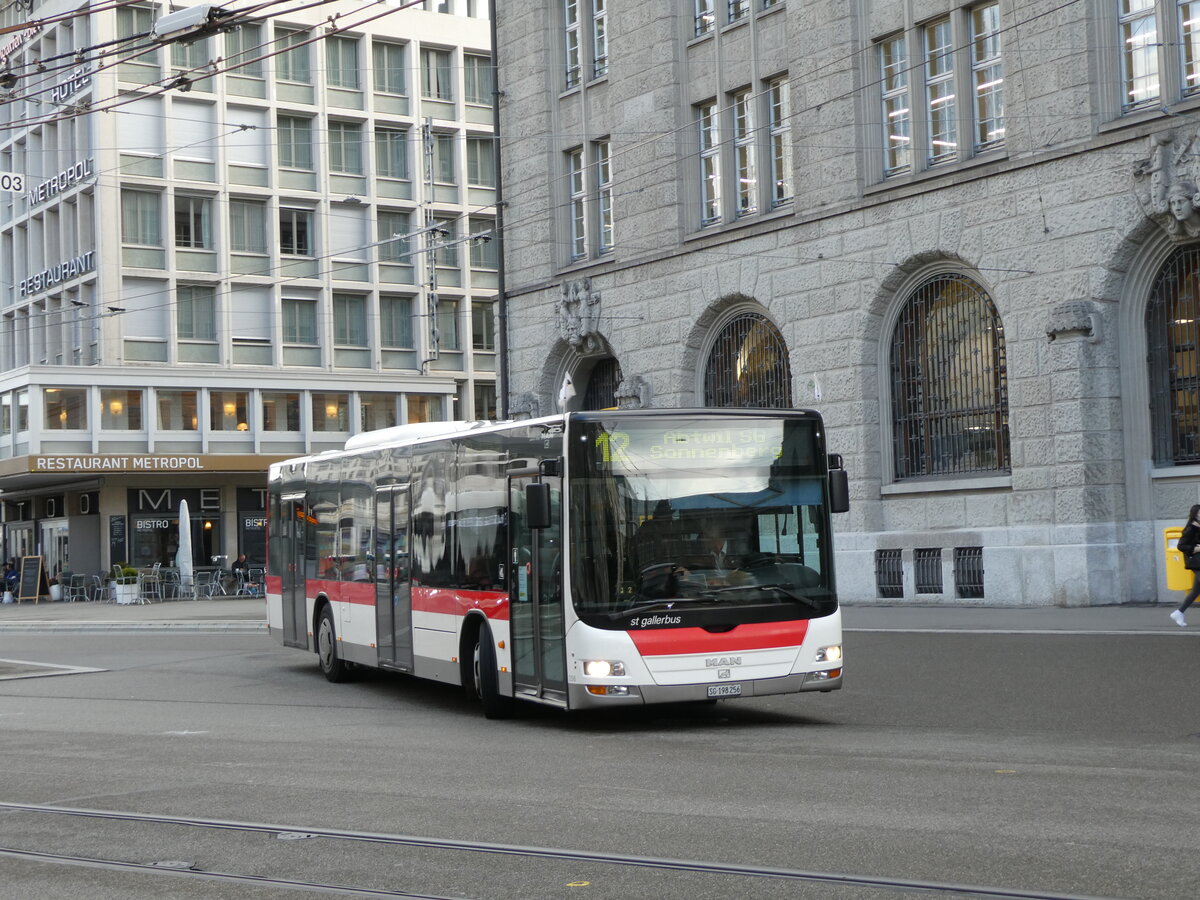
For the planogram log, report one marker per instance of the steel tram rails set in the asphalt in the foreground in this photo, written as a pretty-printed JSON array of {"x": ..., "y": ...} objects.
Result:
[{"x": 184, "y": 869}]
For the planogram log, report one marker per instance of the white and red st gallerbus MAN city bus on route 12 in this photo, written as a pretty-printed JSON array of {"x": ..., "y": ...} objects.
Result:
[{"x": 585, "y": 561}]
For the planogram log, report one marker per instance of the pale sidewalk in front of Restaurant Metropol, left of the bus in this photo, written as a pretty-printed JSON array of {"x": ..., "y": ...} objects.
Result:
[{"x": 226, "y": 614}]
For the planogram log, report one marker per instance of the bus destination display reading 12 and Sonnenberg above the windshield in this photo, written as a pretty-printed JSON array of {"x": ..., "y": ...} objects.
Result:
[{"x": 733, "y": 445}]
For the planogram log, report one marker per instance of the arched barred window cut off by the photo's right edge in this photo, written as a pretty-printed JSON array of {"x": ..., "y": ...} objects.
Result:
[{"x": 1173, "y": 333}]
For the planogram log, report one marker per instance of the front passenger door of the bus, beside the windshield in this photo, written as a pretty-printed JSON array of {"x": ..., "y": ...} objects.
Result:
[{"x": 536, "y": 597}]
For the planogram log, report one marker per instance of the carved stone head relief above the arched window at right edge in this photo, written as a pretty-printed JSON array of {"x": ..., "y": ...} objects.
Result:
[{"x": 1166, "y": 184}]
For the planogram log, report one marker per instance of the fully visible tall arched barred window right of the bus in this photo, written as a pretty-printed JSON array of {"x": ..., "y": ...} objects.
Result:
[{"x": 950, "y": 382}]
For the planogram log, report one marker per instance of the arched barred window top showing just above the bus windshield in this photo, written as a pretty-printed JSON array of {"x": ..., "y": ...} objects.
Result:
[{"x": 748, "y": 367}]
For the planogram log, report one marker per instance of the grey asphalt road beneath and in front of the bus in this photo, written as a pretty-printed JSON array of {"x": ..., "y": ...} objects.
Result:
[{"x": 1034, "y": 765}]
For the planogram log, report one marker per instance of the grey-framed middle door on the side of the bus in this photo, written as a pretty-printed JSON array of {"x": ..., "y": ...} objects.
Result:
[{"x": 394, "y": 598}]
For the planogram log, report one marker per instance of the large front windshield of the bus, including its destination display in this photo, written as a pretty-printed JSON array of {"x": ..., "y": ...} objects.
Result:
[{"x": 722, "y": 517}]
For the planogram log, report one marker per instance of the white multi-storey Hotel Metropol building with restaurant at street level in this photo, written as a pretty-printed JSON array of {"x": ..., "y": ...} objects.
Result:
[{"x": 227, "y": 247}]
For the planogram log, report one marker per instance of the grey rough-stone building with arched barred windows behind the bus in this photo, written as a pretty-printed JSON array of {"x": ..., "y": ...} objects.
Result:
[{"x": 967, "y": 233}]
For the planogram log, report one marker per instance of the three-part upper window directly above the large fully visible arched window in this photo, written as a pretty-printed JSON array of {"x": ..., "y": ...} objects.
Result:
[{"x": 959, "y": 57}]
